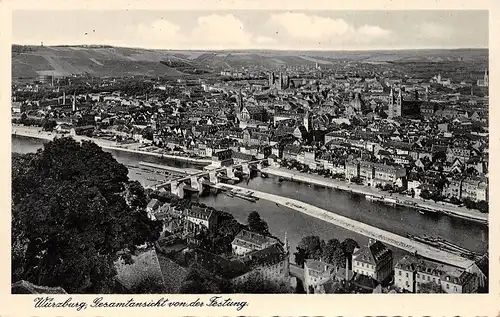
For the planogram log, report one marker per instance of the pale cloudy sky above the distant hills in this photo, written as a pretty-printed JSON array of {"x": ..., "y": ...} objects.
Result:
[{"x": 245, "y": 29}]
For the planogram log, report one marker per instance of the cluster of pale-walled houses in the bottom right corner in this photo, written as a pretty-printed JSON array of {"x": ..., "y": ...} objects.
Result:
[{"x": 371, "y": 270}]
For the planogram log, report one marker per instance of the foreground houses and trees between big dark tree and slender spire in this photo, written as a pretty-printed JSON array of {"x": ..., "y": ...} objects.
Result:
[{"x": 179, "y": 247}]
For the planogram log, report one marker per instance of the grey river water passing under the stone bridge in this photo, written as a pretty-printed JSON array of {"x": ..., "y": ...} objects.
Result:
[{"x": 400, "y": 220}]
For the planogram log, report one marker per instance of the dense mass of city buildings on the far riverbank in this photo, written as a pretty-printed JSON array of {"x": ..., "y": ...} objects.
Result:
[{"x": 408, "y": 134}]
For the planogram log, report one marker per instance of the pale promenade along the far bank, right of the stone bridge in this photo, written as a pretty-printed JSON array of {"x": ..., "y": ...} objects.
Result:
[{"x": 401, "y": 200}]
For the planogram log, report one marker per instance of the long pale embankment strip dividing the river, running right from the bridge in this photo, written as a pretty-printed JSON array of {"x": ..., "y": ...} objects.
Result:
[{"x": 387, "y": 237}]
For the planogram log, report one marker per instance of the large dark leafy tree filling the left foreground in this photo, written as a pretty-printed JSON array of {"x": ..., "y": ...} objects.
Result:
[{"x": 73, "y": 209}]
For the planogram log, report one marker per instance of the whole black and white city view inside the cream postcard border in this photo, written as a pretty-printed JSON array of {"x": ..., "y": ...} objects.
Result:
[{"x": 249, "y": 152}]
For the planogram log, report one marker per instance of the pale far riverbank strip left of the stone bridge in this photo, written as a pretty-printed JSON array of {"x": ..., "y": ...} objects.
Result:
[{"x": 37, "y": 133}]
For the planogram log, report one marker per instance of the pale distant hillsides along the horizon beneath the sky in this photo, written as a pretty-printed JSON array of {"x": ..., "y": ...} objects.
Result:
[{"x": 29, "y": 61}]
